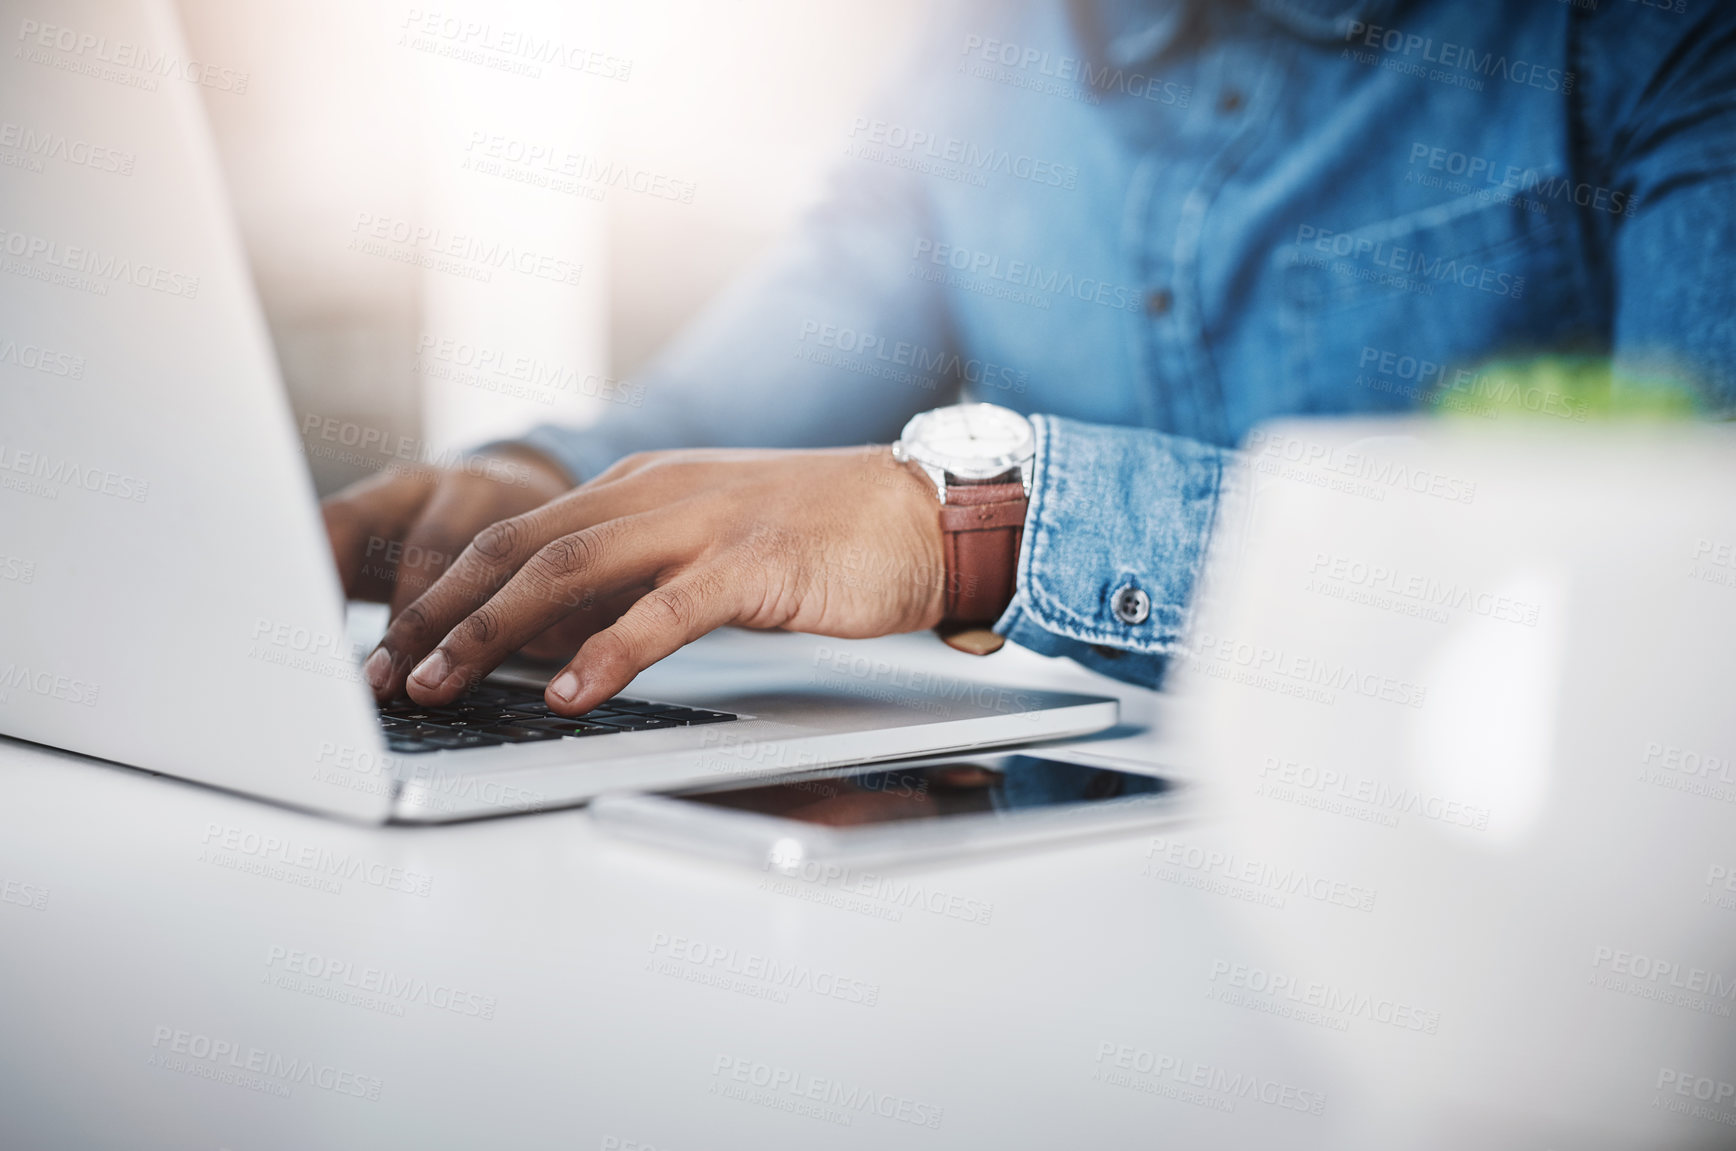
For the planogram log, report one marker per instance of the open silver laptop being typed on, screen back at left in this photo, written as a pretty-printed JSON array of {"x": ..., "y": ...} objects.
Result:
[{"x": 168, "y": 598}]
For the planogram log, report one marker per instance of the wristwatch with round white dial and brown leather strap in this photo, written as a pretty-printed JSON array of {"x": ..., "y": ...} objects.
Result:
[{"x": 980, "y": 459}]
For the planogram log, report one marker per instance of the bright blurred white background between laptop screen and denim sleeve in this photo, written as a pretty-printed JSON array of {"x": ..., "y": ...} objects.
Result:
[{"x": 468, "y": 220}]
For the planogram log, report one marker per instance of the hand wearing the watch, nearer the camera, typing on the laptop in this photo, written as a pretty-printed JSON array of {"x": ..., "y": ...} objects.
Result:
[{"x": 666, "y": 548}]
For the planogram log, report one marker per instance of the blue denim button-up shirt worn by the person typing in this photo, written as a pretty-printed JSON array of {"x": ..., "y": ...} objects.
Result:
[{"x": 1152, "y": 225}]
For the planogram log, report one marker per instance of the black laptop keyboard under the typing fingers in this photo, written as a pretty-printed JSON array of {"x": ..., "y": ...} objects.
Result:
[{"x": 492, "y": 716}]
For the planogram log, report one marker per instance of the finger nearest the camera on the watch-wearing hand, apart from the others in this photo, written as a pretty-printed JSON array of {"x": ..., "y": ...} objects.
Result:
[{"x": 662, "y": 622}]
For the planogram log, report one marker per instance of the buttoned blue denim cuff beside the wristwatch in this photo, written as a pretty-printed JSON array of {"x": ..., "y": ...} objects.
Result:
[{"x": 1112, "y": 510}]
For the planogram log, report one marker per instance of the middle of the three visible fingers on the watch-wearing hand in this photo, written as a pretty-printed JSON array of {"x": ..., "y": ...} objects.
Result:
[{"x": 565, "y": 577}]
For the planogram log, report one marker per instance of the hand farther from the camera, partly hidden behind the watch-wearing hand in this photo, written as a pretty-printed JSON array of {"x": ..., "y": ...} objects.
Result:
[{"x": 393, "y": 534}]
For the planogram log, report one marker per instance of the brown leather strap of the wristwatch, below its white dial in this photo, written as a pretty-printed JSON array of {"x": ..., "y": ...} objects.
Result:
[{"x": 982, "y": 527}]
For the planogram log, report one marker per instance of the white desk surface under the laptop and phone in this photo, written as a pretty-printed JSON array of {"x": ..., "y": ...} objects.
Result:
[{"x": 529, "y": 983}]
